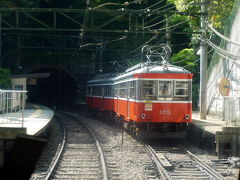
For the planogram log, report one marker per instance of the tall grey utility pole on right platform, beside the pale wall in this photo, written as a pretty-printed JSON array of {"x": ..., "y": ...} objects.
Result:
[{"x": 203, "y": 63}]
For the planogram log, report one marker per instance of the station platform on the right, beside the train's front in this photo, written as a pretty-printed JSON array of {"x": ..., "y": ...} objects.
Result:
[{"x": 214, "y": 132}]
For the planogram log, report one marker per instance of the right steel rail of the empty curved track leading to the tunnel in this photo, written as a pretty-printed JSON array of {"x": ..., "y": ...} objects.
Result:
[{"x": 103, "y": 164}]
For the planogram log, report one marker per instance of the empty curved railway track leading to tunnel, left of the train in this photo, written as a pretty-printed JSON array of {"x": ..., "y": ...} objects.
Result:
[{"x": 80, "y": 155}]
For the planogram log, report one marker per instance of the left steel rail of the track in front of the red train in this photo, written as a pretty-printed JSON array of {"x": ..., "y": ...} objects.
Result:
[{"x": 162, "y": 171}]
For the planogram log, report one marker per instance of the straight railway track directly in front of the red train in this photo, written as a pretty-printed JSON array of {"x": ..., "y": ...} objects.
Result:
[{"x": 176, "y": 162}]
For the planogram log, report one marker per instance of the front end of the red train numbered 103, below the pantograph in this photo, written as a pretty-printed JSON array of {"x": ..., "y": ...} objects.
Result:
[{"x": 165, "y": 106}]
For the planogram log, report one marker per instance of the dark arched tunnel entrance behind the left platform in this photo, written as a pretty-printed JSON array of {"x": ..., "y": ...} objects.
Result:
[{"x": 59, "y": 89}]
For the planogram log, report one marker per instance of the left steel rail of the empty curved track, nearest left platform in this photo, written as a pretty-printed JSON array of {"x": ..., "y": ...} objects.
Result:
[{"x": 50, "y": 172}]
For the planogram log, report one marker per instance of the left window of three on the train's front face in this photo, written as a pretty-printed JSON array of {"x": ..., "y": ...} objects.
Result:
[{"x": 149, "y": 90}]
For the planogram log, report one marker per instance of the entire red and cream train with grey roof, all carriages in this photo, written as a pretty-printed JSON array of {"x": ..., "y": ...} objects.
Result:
[{"x": 149, "y": 99}]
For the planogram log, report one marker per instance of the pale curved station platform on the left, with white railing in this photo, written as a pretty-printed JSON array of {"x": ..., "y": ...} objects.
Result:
[{"x": 32, "y": 121}]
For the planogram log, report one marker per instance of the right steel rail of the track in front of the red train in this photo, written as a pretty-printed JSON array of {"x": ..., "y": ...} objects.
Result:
[{"x": 207, "y": 168}]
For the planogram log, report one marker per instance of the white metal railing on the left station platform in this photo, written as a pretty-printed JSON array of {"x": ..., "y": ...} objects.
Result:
[{"x": 12, "y": 105}]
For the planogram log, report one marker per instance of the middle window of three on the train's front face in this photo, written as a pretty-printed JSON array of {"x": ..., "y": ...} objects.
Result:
[{"x": 165, "y": 89}]
